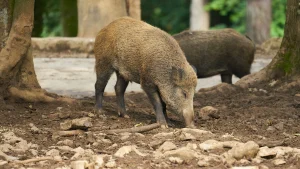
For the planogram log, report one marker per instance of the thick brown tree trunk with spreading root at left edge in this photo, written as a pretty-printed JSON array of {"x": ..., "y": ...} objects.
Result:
[{"x": 17, "y": 75}]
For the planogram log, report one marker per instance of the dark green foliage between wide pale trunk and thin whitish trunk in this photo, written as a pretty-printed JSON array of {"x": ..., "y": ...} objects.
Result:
[{"x": 169, "y": 15}]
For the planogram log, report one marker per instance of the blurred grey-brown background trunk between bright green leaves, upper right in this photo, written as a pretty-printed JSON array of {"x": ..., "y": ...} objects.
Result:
[{"x": 259, "y": 17}]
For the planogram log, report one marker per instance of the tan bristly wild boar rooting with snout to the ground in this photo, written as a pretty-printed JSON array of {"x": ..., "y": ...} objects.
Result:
[{"x": 141, "y": 53}]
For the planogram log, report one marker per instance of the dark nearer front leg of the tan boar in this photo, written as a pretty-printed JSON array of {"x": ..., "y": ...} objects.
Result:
[{"x": 158, "y": 106}]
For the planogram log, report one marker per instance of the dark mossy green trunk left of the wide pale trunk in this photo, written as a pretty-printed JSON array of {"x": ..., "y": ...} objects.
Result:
[{"x": 69, "y": 19}]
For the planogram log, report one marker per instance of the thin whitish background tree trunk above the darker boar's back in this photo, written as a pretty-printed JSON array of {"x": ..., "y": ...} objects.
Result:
[{"x": 199, "y": 19}]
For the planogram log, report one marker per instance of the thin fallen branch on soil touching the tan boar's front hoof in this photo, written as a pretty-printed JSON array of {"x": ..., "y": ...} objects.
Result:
[{"x": 134, "y": 129}]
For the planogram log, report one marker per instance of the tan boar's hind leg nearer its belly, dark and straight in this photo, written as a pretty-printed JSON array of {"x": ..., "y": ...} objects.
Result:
[{"x": 120, "y": 88}]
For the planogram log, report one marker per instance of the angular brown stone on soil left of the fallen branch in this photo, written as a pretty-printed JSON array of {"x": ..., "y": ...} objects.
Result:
[{"x": 81, "y": 123}]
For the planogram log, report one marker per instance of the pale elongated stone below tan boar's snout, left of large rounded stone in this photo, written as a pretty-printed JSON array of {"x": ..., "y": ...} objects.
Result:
[{"x": 184, "y": 153}]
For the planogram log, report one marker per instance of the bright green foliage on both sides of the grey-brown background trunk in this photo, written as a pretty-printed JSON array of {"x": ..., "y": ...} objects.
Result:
[{"x": 236, "y": 10}]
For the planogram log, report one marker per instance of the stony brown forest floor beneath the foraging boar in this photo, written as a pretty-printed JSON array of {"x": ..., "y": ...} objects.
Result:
[{"x": 257, "y": 128}]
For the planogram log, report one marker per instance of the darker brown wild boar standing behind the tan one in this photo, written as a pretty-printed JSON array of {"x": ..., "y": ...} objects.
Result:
[{"x": 224, "y": 52}]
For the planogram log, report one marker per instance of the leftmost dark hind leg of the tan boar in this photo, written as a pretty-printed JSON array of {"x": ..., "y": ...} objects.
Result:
[{"x": 102, "y": 79}]
